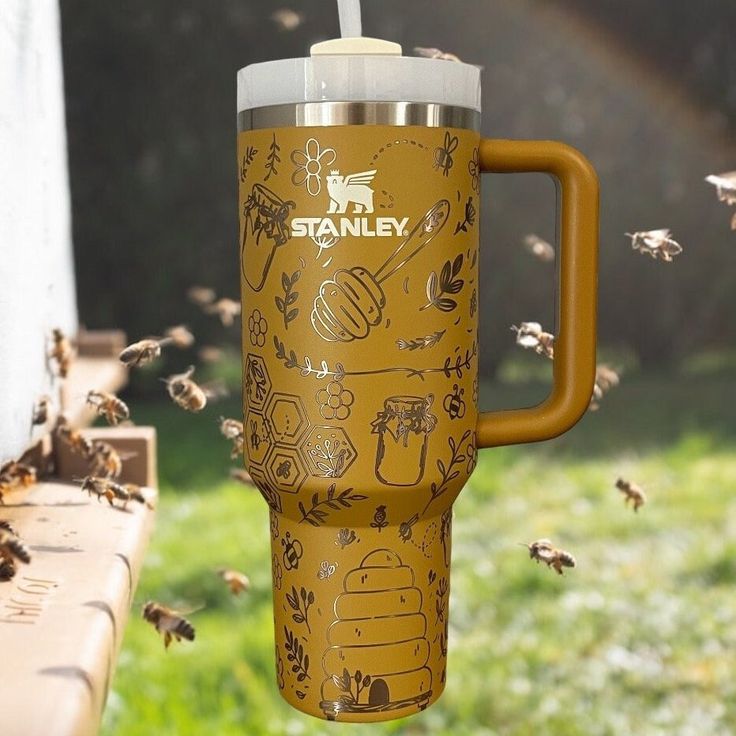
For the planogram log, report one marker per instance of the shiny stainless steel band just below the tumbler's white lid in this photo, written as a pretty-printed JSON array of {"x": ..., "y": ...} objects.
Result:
[{"x": 322, "y": 114}]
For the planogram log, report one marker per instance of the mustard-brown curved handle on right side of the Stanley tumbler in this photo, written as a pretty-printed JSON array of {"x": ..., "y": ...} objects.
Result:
[{"x": 574, "y": 346}]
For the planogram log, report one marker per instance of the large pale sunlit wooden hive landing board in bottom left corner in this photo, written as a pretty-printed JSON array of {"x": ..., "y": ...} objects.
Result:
[{"x": 62, "y": 617}]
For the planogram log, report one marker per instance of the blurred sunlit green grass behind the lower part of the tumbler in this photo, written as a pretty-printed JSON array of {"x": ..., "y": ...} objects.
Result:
[{"x": 639, "y": 639}]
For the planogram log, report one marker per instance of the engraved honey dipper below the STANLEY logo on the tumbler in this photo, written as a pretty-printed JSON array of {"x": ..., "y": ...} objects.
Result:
[{"x": 352, "y": 301}]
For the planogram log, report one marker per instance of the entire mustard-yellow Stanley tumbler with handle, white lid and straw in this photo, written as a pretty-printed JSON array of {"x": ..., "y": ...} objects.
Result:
[{"x": 359, "y": 202}]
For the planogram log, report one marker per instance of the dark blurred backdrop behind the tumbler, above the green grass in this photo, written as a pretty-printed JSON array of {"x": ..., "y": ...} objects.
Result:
[{"x": 151, "y": 112}]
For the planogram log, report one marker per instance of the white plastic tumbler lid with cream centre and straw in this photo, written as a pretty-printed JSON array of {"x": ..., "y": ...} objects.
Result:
[{"x": 358, "y": 69}]
